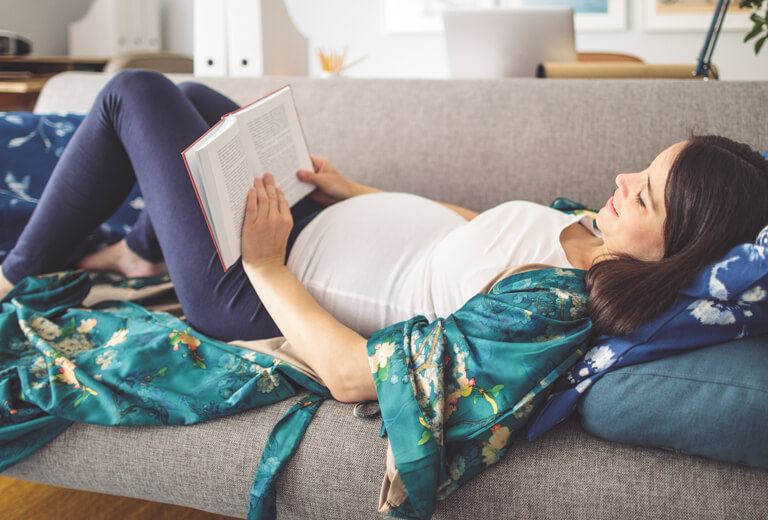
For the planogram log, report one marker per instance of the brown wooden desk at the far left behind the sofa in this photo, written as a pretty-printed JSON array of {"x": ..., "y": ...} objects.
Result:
[{"x": 22, "y": 77}]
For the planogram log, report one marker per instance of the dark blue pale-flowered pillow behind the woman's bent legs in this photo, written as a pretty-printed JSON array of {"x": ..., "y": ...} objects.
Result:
[{"x": 30, "y": 147}]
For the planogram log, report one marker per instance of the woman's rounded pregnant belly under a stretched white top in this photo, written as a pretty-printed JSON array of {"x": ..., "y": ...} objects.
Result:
[{"x": 365, "y": 260}]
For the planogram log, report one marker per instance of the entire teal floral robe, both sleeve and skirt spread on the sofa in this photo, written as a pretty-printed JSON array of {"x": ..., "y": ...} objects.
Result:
[{"x": 451, "y": 392}]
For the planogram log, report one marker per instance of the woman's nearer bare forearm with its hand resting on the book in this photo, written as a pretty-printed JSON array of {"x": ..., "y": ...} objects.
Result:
[{"x": 337, "y": 353}]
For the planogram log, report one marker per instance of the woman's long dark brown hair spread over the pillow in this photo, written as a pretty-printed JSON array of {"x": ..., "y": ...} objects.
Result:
[{"x": 716, "y": 198}]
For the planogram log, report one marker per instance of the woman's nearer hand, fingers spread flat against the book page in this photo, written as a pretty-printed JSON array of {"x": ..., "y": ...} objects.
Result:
[{"x": 266, "y": 227}]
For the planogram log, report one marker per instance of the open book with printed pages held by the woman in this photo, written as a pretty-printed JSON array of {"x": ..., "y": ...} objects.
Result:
[{"x": 264, "y": 136}]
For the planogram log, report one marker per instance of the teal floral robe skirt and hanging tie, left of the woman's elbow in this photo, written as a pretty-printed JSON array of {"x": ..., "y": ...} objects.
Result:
[{"x": 120, "y": 364}]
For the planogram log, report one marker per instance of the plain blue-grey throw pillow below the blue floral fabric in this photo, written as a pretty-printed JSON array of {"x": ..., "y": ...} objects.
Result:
[{"x": 711, "y": 401}]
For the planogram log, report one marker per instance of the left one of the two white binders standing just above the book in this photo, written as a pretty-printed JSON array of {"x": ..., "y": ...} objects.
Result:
[{"x": 210, "y": 38}]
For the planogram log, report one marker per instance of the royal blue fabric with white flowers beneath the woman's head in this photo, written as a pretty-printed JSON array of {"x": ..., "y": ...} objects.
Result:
[{"x": 728, "y": 300}]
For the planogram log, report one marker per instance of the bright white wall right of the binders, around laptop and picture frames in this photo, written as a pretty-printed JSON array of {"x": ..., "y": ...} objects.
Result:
[{"x": 328, "y": 23}]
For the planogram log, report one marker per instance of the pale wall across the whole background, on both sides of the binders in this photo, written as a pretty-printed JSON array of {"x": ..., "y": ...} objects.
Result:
[{"x": 359, "y": 23}]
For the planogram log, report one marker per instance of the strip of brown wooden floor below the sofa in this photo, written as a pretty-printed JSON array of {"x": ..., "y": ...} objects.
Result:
[{"x": 21, "y": 500}]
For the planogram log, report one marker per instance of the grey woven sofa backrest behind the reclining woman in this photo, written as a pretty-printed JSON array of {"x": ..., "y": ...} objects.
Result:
[{"x": 480, "y": 142}]
